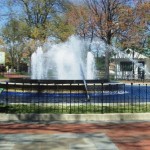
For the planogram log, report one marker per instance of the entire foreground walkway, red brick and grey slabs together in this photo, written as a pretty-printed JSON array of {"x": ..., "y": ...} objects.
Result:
[{"x": 75, "y": 136}]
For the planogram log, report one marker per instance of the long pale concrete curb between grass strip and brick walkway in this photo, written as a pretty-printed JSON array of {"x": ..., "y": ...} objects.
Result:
[{"x": 76, "y": 117}]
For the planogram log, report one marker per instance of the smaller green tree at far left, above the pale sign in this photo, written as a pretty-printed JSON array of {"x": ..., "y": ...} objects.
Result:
[{"x": 14, "y": 37}]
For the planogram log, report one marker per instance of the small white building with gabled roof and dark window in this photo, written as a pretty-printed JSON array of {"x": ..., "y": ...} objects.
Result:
[{"x": 131, "y": 65}]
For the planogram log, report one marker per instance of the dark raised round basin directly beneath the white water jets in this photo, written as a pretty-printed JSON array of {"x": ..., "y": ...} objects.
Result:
[{"x": 60, "y": 85}]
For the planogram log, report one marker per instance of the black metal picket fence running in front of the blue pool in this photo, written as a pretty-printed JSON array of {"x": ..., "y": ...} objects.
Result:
[{"x": 70, "y": 96}]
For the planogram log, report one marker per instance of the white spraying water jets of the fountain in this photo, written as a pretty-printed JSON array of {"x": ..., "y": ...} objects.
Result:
[{"x": 63, "y": 61}]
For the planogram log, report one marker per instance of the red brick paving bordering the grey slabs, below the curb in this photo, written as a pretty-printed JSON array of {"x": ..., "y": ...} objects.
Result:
[{"x": 127, "y": 136}]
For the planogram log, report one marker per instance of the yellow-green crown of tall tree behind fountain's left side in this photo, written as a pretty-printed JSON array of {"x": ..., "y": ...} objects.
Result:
[{"x": 40, "y": 18}]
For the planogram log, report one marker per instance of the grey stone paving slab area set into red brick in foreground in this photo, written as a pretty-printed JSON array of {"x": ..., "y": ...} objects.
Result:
[{"x": 68, "y": 141}]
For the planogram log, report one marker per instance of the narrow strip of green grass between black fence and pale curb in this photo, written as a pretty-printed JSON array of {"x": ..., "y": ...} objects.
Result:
[{"x": 80, "y": 109}]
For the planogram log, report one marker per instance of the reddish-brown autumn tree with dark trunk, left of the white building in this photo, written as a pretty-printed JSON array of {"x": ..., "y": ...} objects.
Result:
[{"x": 109, "y": 19}]
